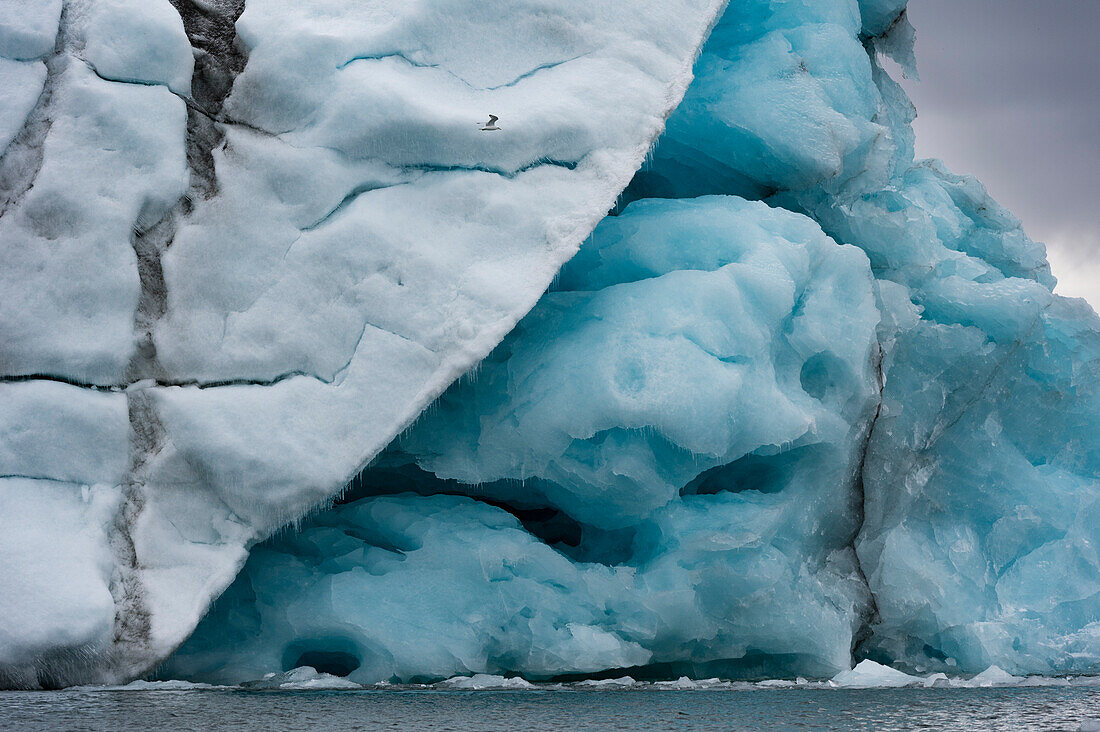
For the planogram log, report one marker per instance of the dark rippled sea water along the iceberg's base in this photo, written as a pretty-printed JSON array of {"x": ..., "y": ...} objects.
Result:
[{"x": 1044, "y": 708}]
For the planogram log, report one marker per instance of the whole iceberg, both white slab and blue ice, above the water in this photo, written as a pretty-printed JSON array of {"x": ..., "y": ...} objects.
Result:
[{"x": 681, "y": 369}]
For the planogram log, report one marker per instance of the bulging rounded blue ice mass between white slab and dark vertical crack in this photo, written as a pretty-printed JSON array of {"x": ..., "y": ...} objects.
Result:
[{"x": 681, "y": 420}]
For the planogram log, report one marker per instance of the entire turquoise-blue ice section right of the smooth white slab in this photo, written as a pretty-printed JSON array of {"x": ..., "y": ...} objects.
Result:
[{"x": 724, "y": 443}]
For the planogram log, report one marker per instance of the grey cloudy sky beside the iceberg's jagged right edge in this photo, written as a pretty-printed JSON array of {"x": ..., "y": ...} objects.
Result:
[{"x": 1009, "y": 93}]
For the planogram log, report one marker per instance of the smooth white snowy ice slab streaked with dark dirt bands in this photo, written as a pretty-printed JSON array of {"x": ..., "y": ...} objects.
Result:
[{"x": 245, "y": 245}]
